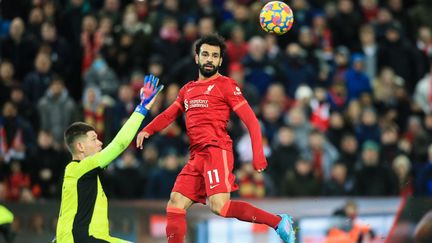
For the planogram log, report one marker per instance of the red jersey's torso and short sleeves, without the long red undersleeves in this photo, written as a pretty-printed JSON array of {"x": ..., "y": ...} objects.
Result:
[{"x": 207, "y": 106}]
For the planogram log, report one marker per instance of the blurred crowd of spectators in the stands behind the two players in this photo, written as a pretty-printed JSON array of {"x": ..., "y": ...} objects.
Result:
[{"x": 344, "y": 98}]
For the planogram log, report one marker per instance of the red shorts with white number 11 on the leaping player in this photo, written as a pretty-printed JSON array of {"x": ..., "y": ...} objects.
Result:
[{"x": 208, "y": 172}]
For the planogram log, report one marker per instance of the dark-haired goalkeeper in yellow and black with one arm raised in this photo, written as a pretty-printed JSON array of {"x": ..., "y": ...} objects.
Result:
[{"x": 84, "y": 206}]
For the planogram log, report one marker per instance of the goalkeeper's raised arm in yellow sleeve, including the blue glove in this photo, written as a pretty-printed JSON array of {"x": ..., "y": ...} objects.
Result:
[{"x": 127, "y": 132}]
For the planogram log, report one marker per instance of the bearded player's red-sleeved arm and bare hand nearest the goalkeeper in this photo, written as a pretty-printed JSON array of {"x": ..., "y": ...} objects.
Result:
[{"x": 162, "y": 120}]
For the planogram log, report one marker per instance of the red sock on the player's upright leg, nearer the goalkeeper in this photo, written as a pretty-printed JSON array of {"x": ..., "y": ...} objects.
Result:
[{"x": 176, "y": 225}]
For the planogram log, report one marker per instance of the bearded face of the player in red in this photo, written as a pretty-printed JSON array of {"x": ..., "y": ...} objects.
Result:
[{"x": 209, "y": 60}]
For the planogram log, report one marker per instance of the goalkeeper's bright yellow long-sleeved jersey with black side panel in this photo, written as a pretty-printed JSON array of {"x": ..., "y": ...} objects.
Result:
[{"x": 84, "y": 206}]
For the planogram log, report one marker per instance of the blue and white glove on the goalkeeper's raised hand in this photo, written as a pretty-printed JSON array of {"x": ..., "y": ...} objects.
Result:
[{"x": 148, "y": 93}]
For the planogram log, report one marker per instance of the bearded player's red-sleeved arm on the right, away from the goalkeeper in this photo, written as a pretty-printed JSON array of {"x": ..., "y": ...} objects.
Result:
[{"x": 239, "y": 105}]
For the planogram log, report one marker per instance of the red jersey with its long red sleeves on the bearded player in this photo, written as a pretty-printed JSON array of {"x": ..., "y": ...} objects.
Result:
[{"x": 207, "y": 104}]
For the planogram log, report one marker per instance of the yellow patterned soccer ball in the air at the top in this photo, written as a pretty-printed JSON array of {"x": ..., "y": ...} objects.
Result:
[{"x": 276, "y": 17}]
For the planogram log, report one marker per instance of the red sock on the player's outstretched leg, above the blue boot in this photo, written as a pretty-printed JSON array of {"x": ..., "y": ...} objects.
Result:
[{"x": 246, "y": 212}]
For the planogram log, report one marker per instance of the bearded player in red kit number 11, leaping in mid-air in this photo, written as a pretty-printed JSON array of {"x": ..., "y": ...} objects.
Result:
[{"x": 207, "y": 103}]
